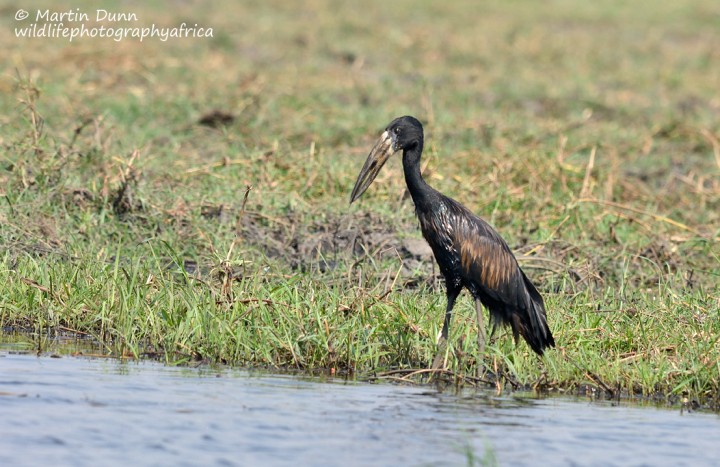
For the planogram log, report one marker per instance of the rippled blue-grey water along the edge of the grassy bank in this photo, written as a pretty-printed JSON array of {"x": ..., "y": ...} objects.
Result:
[{"x": 81, "y": 411}]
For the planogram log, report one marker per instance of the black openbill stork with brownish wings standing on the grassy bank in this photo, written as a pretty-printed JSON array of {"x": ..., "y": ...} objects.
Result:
[{"x": 469, "y": 251}]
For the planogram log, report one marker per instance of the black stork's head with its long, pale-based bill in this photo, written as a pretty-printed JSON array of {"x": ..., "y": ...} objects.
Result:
[{"x": 403, "y": 133}]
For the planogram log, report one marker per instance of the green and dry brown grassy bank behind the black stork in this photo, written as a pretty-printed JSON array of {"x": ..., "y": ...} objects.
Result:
[{"x": 587, "y": 134}]
